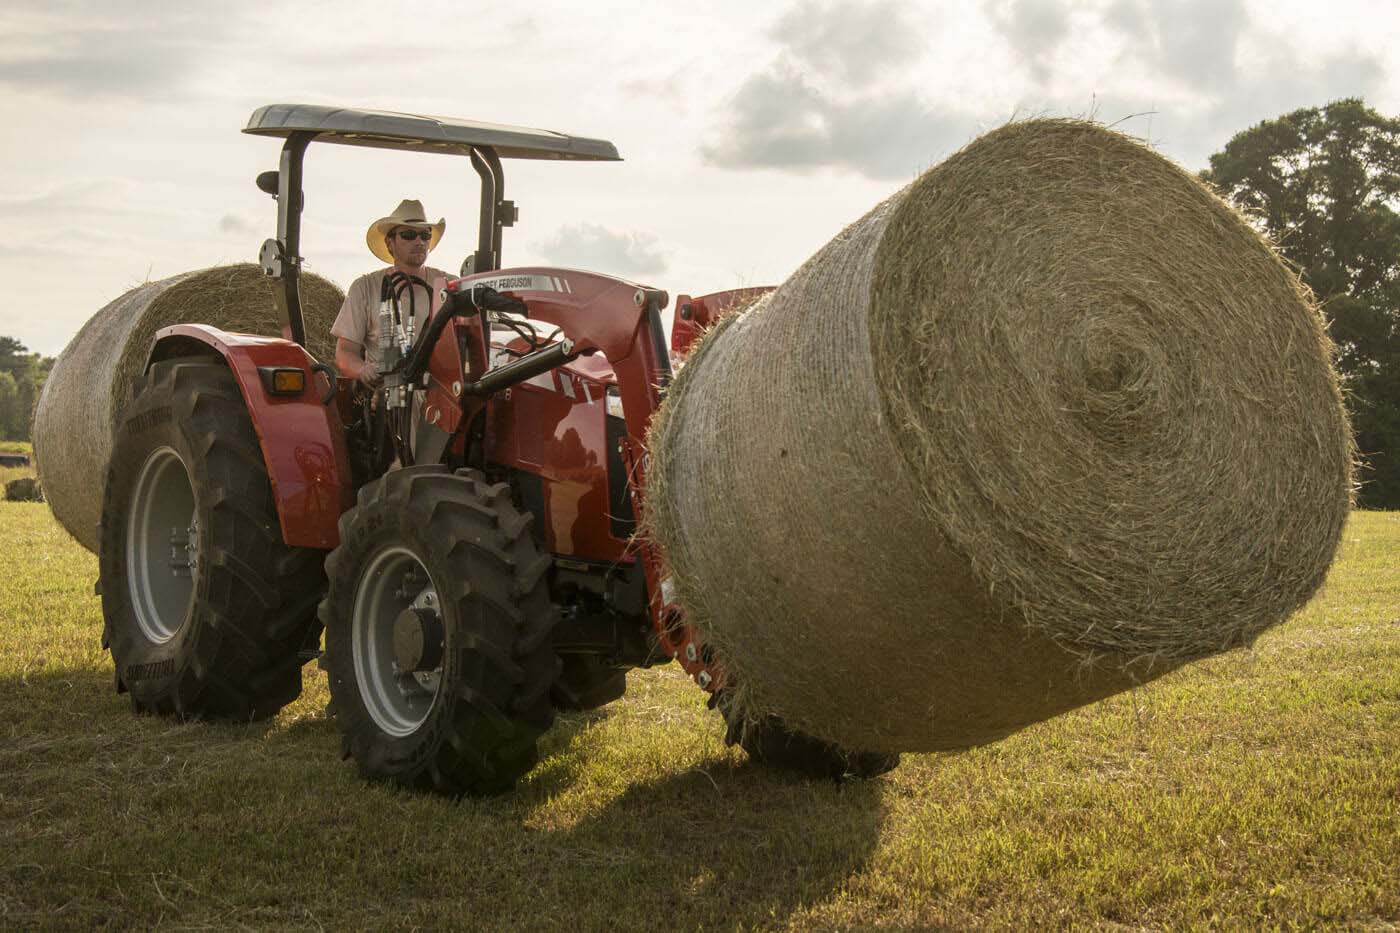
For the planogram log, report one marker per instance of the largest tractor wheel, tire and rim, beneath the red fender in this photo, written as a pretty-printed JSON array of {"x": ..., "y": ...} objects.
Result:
[{"x": 205, "y": 610}]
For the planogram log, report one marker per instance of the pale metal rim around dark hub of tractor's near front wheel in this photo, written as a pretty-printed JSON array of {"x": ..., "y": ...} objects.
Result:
[{"x": 398, "y": 701}]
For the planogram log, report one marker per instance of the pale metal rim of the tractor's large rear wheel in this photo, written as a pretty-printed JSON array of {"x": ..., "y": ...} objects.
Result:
[{"x": 163, "y": 546}]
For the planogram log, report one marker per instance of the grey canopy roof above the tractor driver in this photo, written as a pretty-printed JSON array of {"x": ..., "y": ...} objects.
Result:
[{"x": 415, "y": 134}]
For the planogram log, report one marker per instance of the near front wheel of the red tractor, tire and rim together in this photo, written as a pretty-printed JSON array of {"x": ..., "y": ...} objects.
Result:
[{"x": 439, "y": 634}]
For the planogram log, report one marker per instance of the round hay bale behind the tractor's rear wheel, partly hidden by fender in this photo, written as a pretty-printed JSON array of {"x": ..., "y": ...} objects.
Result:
[{"x": 96, "y": 376}]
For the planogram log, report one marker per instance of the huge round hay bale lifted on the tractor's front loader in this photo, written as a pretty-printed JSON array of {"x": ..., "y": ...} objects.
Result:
[{"x": 1045, "y": 425}]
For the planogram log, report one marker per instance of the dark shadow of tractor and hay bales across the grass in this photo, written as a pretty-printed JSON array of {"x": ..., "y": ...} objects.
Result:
[{"x": 628, "y": 830}]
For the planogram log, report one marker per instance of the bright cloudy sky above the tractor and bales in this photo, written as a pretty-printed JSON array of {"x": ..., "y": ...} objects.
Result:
[{"x": 751, "y": 132}]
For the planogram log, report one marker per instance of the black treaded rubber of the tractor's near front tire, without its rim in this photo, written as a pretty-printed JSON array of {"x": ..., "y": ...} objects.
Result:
[{"x": 482, "y": 736}]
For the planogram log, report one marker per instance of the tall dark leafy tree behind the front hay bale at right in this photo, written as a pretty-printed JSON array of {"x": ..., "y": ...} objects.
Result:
[{"x": 1325, "y": 184}]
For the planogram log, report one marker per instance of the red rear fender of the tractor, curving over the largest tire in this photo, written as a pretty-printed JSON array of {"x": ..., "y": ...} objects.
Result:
[{"x": 303, "y": 439}]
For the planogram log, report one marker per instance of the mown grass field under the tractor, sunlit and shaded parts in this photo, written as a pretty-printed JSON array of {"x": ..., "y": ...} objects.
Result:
[{"x": 1259, "y": 789}]
